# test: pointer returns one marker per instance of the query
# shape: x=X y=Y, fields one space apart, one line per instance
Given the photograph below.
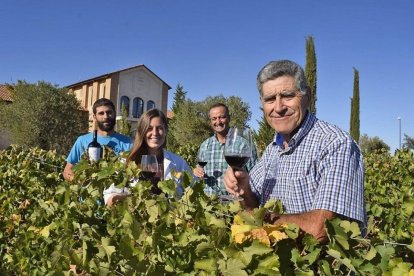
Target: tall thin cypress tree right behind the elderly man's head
x=310 y=70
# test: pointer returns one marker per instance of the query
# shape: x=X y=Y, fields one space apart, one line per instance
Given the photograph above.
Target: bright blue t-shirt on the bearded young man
x=117 y=142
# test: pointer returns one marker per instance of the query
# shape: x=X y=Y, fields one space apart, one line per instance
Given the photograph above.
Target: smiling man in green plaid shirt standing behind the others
x=212 y=150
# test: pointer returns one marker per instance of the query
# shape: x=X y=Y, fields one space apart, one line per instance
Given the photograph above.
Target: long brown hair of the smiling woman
x=140 y=147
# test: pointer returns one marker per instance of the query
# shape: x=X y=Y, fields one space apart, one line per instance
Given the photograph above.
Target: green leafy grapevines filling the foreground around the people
x=51 y=227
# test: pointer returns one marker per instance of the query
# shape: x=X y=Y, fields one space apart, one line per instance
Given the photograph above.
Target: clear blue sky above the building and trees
x=217 y=47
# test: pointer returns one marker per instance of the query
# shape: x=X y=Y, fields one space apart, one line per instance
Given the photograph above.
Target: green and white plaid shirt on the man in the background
x=216 y=166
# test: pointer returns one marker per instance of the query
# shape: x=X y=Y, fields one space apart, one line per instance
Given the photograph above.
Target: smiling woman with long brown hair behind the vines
x=150 y=139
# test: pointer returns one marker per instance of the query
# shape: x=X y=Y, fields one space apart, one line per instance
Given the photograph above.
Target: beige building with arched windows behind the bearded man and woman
x=137 y=88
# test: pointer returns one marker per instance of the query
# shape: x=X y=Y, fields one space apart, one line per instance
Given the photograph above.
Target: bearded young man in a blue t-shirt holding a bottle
x=105 y=116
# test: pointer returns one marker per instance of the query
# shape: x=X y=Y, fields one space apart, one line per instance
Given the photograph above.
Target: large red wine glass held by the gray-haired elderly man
x=237 y=152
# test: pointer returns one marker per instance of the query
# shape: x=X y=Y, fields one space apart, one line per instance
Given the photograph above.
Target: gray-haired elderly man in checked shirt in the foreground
x=313 y=167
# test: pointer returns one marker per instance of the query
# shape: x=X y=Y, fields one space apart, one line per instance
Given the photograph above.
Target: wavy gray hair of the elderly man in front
x=279 y=68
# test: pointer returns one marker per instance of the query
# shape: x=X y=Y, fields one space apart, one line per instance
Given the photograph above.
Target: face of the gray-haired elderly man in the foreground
x=283 y=105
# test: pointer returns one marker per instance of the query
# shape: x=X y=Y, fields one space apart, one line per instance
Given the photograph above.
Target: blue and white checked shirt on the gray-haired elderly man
x=322 y=168
